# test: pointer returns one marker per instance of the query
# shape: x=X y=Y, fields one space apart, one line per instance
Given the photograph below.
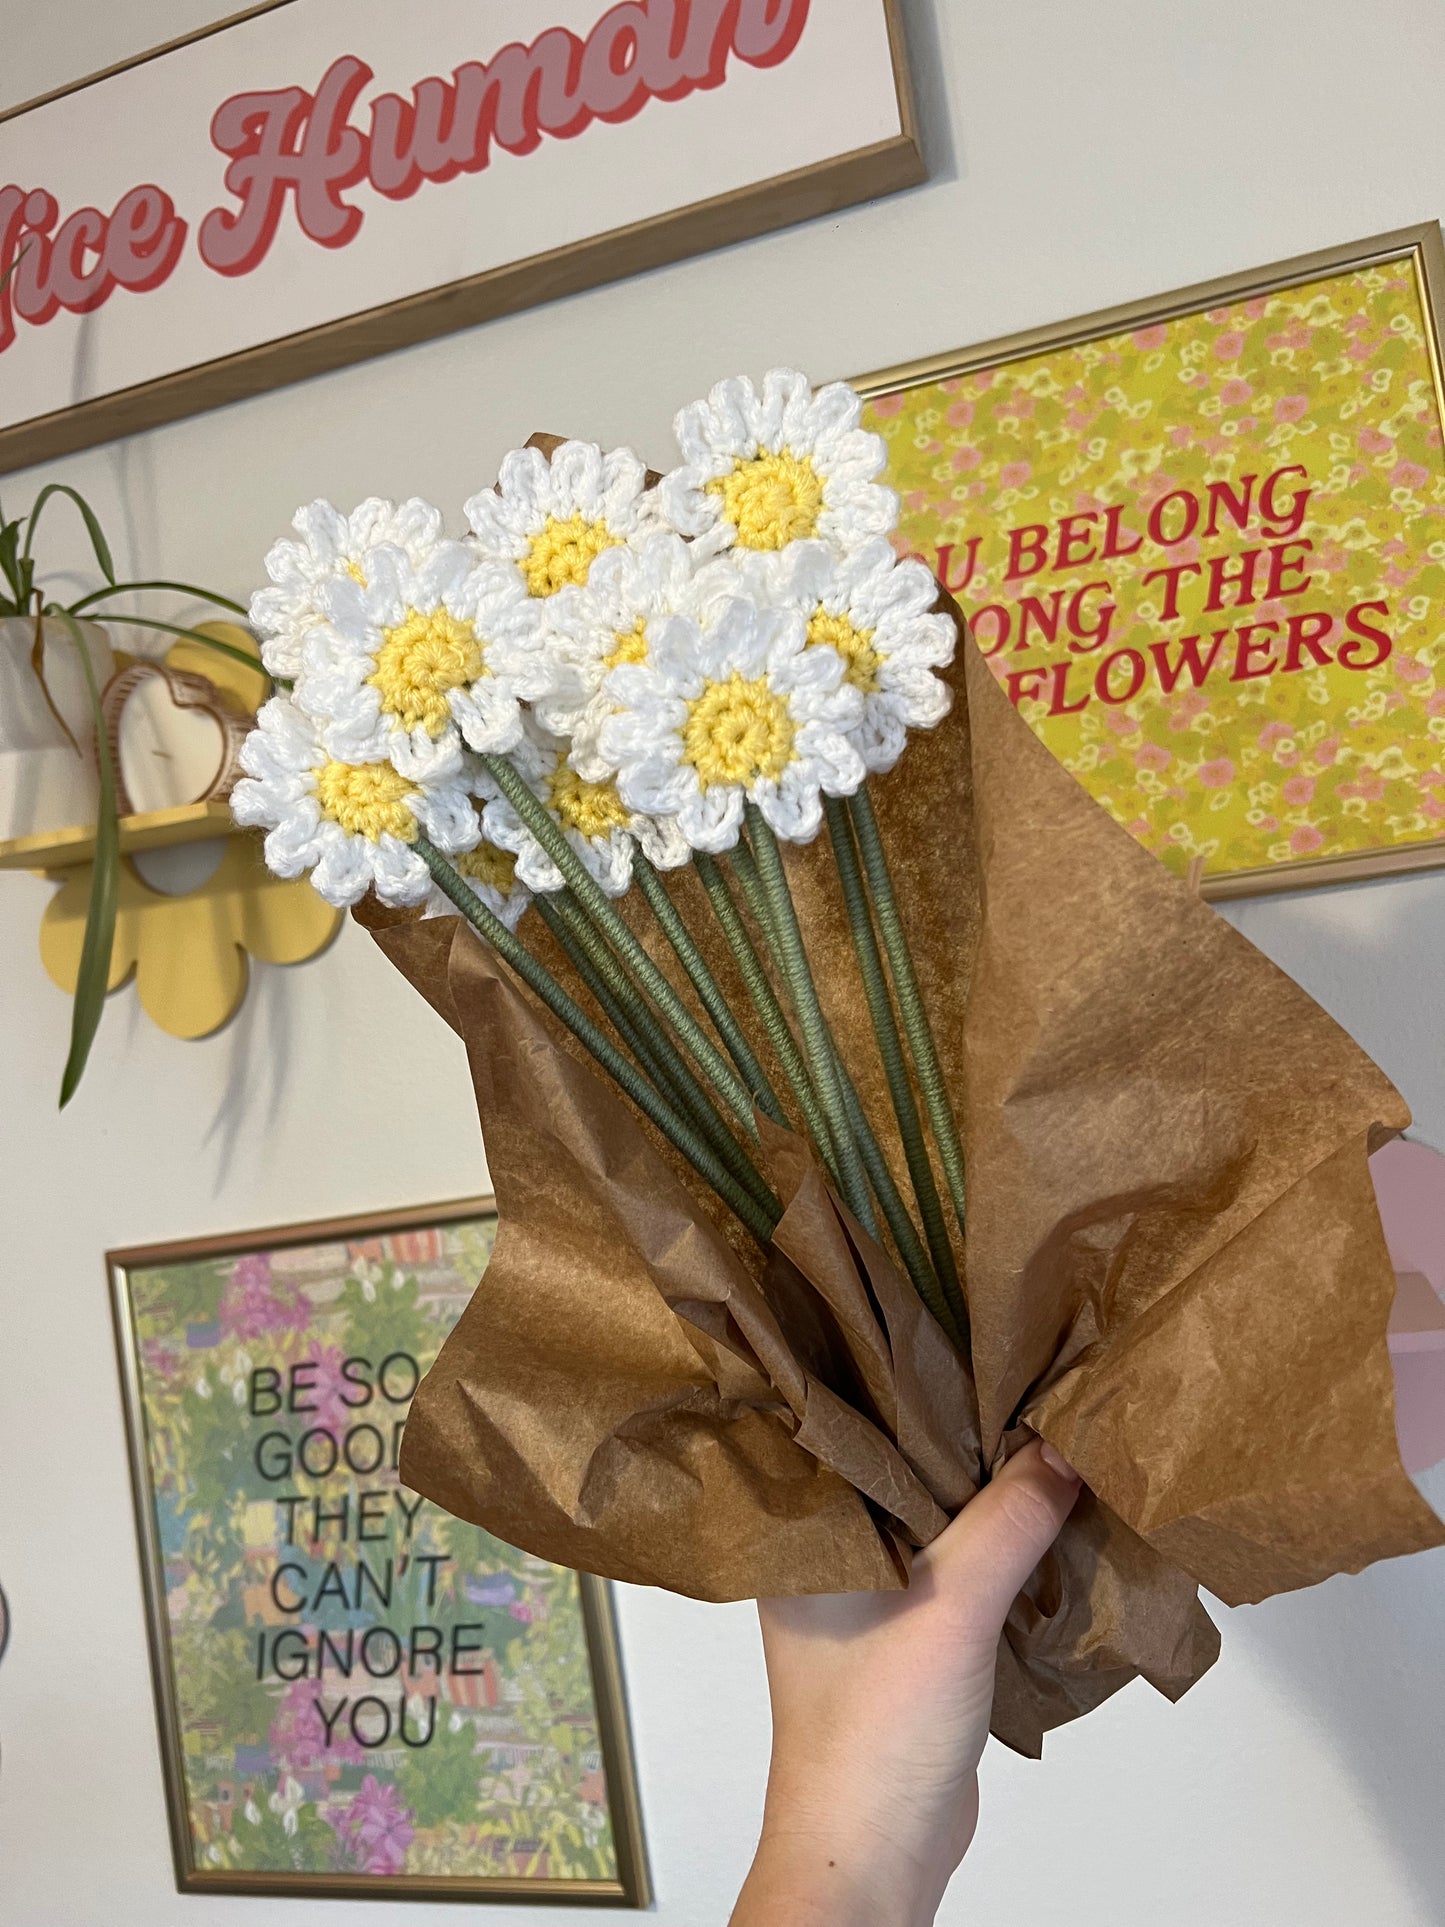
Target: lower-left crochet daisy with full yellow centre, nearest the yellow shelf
x=352 y=826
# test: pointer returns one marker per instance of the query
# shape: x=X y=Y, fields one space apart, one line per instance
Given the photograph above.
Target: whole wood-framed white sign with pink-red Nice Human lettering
x=315 y=182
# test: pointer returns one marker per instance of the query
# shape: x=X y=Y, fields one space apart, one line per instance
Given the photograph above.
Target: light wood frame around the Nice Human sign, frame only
x=700 y=228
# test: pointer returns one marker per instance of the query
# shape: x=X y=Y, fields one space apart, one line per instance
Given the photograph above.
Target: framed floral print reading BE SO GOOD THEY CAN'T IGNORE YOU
x=357 y=1695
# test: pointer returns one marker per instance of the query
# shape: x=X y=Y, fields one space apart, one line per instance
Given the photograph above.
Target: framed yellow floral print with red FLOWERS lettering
x=1201 y=542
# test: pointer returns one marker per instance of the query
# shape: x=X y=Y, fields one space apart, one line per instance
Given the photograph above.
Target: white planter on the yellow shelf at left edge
x=43 y=783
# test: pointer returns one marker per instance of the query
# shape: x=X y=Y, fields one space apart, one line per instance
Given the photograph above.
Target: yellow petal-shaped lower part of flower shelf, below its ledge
x=190 y=953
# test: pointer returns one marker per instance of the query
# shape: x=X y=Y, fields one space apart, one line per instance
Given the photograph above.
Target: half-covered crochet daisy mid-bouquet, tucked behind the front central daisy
x=608 y=623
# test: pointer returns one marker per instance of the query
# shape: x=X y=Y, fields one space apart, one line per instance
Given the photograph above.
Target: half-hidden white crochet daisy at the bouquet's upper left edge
x=332 y=546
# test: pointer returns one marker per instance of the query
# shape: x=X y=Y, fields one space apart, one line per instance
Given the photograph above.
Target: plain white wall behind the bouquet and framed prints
x=1084 y=155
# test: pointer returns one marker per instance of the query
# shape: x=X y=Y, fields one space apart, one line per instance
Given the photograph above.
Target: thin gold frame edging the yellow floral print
x=1419 y=250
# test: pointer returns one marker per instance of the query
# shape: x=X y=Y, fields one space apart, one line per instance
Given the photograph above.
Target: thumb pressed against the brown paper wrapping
x=1001 y=1535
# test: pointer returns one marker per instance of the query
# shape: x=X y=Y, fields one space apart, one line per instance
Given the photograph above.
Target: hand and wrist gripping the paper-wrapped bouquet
x=881 y=1710
